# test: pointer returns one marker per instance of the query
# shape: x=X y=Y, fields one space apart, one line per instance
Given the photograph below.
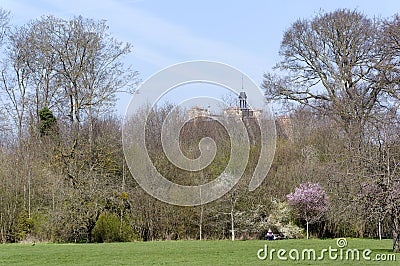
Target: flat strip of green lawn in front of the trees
x=222 y=252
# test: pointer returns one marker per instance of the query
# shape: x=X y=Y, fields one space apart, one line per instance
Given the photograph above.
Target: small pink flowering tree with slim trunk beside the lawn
x=309 y=201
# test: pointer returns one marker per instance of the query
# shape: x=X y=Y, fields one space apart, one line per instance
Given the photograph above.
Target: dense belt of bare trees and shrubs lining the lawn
x=62 y=170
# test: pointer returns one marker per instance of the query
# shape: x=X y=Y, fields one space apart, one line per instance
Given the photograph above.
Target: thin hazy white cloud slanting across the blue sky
x=156 y=41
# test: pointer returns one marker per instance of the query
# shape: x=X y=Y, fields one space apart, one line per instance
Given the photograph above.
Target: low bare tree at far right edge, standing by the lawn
x=379 y=193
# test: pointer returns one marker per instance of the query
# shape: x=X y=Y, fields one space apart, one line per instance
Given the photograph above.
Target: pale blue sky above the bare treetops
x=243 y=34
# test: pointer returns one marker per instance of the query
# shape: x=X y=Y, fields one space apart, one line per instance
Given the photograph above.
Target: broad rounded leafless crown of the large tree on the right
x=331 y=62
